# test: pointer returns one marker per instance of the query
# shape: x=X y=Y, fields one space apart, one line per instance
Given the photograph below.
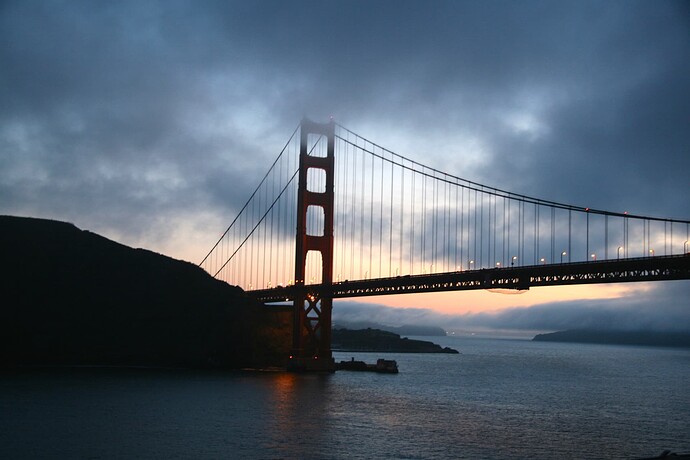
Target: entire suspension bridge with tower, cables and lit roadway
x=339 y=216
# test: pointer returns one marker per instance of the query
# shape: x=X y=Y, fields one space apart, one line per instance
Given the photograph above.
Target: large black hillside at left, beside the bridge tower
x=73 y=297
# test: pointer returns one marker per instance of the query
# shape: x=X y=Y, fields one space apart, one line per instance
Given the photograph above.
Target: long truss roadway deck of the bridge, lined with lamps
x=657 y=268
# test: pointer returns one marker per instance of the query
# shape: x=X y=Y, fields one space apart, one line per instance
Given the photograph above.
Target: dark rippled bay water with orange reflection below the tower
x=498 y=399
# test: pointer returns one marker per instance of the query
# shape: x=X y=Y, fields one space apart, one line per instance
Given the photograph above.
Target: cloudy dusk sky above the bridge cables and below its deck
x=151 y=122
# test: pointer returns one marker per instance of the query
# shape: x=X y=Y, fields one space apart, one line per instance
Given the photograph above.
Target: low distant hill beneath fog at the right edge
x=649 y=338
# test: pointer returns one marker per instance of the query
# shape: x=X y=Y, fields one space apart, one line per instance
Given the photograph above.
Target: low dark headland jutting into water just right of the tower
x=376 y=340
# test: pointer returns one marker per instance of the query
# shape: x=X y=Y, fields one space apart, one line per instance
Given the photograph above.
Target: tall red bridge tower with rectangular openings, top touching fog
x=311 y=338
